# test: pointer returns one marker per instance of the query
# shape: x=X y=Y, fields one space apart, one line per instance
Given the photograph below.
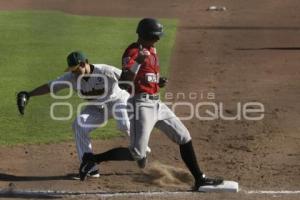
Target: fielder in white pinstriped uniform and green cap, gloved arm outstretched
x=98 y=84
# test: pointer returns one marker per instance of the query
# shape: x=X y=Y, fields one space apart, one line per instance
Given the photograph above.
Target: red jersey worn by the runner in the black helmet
x=147 y=78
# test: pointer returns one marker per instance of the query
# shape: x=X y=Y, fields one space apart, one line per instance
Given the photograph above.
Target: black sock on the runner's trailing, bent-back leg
x=115 y=154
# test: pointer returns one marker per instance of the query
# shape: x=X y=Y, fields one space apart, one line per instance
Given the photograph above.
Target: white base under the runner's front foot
x=226 y=186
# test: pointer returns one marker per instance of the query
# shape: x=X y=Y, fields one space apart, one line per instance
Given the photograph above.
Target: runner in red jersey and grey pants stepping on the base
x=141 y=66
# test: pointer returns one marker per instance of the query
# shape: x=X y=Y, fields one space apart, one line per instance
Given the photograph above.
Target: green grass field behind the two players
x=34 y=46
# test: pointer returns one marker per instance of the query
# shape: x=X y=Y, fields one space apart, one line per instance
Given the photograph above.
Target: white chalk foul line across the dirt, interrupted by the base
x=14 y=192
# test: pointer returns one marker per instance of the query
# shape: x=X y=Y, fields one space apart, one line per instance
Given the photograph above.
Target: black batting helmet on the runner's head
x=149 y=28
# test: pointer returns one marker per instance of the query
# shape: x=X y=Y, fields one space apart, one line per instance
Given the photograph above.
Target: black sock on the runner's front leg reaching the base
x=188 y=156
